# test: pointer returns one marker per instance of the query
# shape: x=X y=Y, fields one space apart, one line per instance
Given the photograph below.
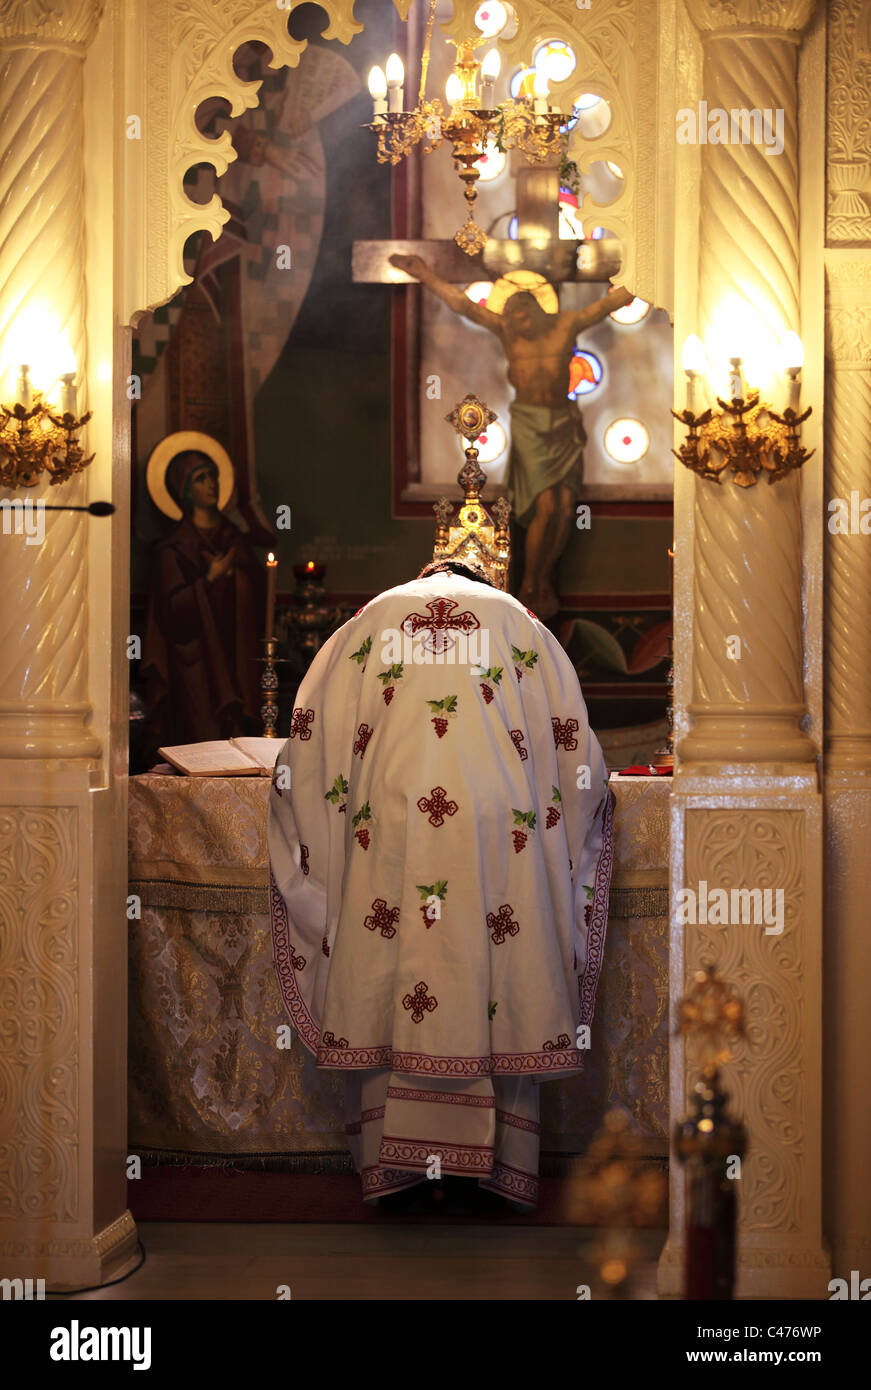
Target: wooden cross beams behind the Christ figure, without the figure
x=538 y=247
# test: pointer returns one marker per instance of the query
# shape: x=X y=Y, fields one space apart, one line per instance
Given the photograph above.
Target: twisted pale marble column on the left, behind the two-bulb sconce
x=44 y=618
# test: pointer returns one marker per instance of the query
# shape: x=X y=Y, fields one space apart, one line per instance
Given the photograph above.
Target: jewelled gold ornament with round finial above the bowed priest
x=476 y=537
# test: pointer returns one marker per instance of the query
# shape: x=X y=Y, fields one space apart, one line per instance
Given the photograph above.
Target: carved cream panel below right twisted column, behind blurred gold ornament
x=768 y=1084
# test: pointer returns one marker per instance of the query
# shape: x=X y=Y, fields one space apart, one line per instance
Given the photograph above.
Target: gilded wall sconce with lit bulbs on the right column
x=744 y=436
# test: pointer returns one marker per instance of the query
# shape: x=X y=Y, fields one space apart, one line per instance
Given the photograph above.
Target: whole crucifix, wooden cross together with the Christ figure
x=547 y=429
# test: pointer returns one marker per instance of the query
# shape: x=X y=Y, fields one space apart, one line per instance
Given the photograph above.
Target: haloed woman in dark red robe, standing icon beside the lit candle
x=208 y=598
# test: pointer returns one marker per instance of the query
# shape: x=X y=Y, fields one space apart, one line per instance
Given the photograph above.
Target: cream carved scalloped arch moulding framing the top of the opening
x=187 y=55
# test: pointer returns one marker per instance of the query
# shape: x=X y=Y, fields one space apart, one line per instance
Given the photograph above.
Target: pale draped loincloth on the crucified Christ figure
x=547 y=450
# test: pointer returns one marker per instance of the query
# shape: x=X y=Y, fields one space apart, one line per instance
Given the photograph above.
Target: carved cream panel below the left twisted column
x=40 y=1000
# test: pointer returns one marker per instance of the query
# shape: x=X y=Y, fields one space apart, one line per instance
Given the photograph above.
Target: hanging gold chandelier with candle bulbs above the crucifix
x=470 y=123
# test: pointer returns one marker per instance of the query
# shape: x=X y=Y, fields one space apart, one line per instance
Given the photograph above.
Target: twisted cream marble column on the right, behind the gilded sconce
x=748 y=697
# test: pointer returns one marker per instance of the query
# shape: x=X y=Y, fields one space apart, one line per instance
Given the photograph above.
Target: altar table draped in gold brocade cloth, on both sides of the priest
x=208 y=1082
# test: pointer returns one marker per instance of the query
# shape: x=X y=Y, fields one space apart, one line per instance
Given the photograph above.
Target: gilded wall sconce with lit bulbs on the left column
x=37 y=440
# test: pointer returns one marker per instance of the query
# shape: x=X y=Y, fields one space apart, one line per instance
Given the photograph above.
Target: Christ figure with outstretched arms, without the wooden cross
x=547 y=429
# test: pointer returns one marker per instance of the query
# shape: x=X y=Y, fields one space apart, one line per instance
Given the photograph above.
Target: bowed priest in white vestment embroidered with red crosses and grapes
x=441 y=864
